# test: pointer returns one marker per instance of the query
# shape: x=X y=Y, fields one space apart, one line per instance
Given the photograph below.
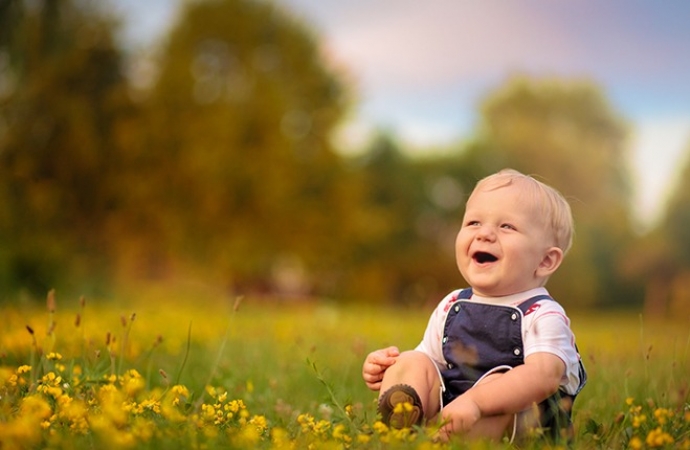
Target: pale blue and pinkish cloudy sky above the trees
x=421 y=68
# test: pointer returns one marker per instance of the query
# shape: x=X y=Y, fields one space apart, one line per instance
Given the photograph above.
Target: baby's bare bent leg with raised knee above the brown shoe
x=418 y=371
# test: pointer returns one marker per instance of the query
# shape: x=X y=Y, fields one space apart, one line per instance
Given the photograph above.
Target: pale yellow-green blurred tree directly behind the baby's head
x=567 y=134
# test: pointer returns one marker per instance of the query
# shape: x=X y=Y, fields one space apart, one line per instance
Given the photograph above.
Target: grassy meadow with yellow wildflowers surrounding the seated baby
x=184 y=371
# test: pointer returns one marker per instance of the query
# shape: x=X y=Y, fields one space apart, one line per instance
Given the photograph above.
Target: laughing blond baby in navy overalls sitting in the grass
x=499 y=358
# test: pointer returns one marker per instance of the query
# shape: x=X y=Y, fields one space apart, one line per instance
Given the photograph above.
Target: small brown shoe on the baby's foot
x=410 y=411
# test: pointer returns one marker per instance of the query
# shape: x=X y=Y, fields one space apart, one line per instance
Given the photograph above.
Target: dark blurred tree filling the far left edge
x=61 y=93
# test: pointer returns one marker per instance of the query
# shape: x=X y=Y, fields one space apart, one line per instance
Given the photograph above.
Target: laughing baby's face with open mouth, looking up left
x=502 y=243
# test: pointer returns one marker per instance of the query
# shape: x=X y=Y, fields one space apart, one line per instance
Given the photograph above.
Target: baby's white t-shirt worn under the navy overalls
x=545 y=328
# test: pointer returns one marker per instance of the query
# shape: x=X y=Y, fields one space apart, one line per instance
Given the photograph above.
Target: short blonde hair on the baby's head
x=554 y=207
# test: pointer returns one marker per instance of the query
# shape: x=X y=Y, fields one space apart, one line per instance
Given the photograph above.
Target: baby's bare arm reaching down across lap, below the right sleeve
x=507 y=393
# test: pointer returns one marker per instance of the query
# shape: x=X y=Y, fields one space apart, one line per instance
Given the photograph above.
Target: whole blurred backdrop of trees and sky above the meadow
x=312 y=149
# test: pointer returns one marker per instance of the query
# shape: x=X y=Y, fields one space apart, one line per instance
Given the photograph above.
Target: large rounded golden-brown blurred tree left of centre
x=245 y=180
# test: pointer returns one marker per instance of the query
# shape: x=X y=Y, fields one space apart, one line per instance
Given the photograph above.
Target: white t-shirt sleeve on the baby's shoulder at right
x=549 y=331
